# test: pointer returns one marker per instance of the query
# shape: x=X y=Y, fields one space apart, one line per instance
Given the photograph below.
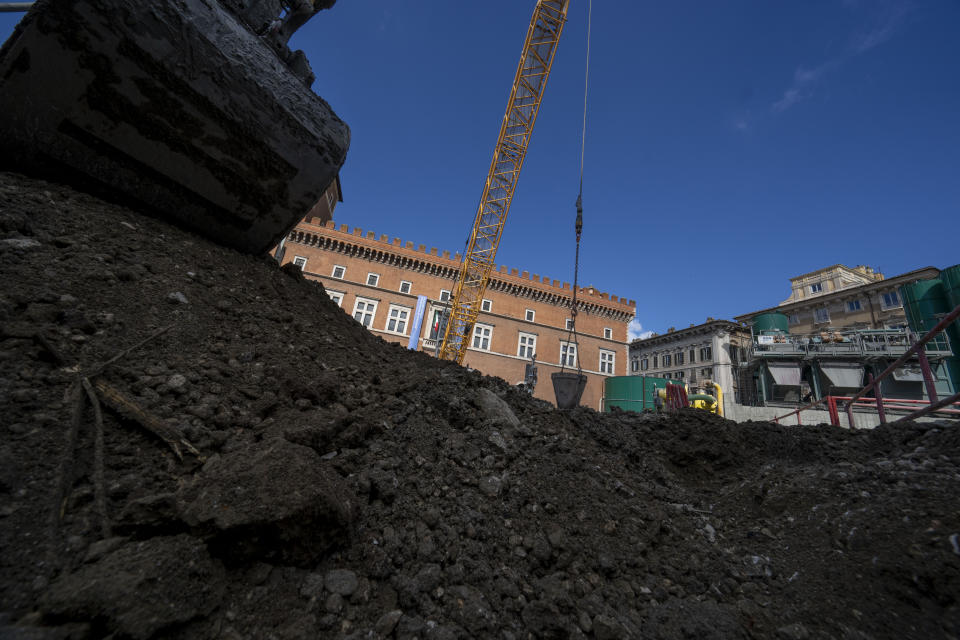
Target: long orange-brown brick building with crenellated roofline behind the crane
x=382 y=283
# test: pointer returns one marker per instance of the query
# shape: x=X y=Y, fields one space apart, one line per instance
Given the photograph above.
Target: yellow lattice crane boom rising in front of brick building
x=524 y=103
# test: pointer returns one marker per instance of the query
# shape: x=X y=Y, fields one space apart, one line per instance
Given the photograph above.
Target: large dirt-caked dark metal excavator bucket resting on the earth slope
x=178 y=106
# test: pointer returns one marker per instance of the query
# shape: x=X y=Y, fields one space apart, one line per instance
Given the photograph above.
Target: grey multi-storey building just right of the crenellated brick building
x=709 y=351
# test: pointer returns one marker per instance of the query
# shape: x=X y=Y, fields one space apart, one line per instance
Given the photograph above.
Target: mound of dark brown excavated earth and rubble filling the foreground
x=348 y=488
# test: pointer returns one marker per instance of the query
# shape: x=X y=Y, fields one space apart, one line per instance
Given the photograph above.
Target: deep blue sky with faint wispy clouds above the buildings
x=730 y=145
